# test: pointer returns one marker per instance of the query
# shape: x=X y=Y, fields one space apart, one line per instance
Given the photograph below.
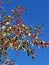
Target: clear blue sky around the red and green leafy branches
x=38 y=13
